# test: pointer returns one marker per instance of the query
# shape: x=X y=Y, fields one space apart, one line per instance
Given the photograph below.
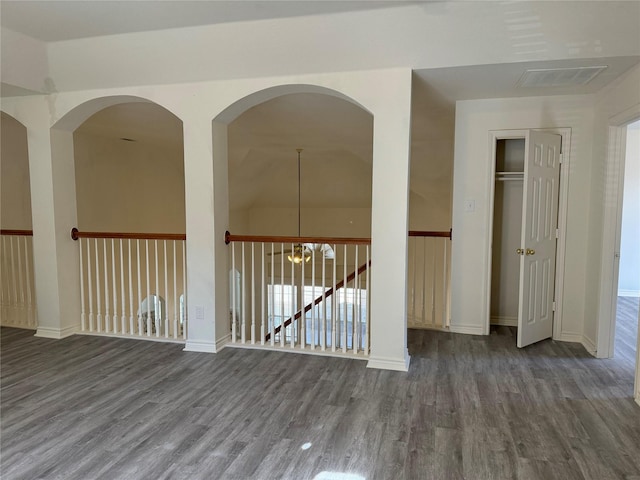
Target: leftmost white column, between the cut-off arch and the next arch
x=53 y=202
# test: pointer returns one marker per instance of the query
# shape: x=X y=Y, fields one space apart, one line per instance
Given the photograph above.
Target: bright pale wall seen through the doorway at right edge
x=629 y=273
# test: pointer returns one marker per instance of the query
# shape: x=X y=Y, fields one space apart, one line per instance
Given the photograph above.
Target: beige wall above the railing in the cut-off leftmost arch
x=15 y=198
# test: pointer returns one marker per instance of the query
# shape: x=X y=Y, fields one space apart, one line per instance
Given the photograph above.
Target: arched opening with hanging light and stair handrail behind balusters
x=326 y=194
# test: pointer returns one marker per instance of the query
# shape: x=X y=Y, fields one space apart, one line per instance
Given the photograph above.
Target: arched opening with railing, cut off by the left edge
x=17 y=287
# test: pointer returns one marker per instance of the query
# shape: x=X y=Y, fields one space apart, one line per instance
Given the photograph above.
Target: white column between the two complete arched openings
x=206 y=206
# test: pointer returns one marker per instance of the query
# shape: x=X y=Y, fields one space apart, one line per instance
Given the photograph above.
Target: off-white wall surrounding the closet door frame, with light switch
x=472 y=180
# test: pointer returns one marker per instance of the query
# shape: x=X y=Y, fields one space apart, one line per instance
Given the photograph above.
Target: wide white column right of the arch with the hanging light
x=389 y=221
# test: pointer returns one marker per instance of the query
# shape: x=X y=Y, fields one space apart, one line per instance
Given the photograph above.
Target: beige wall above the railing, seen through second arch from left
x=128 y=186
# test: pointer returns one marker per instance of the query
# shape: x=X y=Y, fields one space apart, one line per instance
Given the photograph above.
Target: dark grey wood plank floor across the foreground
x=469 y=408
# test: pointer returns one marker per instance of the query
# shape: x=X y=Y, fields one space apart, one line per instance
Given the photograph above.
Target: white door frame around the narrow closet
x=565 y=151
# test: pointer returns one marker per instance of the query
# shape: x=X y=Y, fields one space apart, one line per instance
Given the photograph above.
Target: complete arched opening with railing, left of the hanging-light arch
x=128 y=183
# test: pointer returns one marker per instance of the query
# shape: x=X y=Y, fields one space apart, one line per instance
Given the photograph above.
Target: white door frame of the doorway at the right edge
x=611 y=231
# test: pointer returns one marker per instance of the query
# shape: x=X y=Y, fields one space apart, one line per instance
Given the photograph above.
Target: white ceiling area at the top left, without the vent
x=54 y=20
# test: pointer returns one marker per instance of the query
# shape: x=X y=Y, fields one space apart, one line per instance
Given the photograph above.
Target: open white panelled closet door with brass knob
x=538 y=240
